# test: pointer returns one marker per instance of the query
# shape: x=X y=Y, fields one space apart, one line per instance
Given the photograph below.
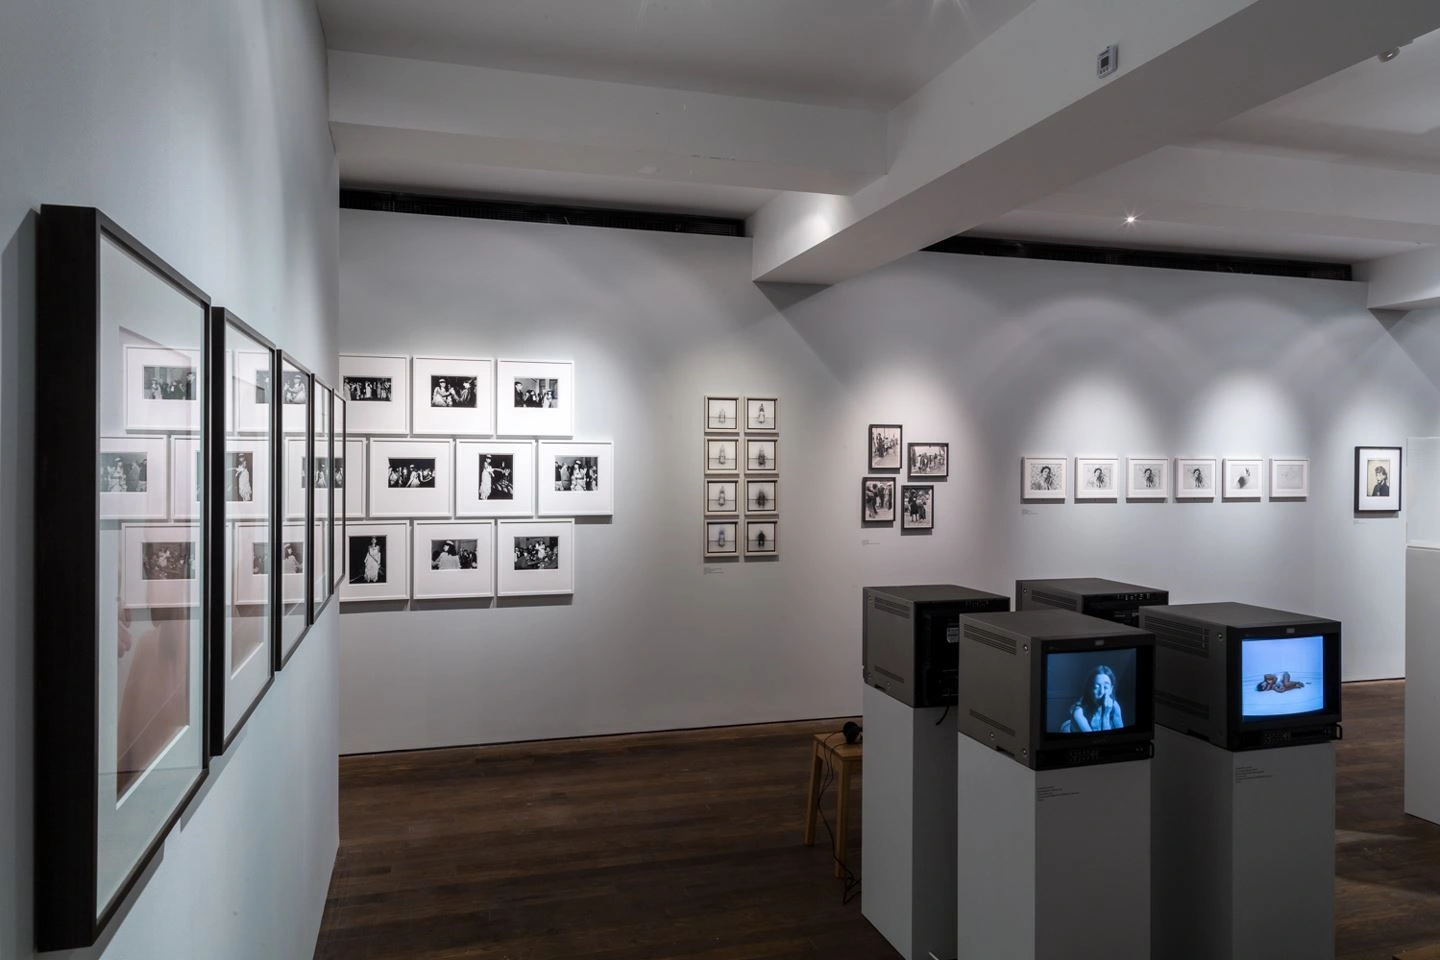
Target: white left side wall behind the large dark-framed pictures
x=201 y=129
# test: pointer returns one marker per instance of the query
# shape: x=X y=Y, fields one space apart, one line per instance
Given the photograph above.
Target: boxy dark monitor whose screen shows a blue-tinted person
x=1056 y=689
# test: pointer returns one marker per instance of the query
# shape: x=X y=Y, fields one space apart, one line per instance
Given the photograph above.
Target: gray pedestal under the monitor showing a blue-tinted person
x=1053 y=864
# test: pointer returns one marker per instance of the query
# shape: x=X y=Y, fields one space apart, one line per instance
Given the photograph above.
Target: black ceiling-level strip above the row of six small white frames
x=1130 y=257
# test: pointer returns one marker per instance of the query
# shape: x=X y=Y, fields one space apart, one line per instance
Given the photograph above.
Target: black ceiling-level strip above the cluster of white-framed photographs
x=474 y=209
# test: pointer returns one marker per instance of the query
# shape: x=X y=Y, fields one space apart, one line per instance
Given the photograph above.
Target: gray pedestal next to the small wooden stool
x=908 y=827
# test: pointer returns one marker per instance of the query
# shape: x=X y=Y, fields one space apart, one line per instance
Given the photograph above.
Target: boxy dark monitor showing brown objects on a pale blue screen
x=1245 y=677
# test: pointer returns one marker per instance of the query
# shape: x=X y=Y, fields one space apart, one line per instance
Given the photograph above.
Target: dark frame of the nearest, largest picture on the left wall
x=70 y=910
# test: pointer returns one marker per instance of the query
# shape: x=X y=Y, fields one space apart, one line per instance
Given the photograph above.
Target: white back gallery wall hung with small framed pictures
x=1002 y=359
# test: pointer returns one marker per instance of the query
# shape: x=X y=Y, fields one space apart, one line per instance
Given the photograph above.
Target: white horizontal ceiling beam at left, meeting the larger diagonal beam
x=388 y=107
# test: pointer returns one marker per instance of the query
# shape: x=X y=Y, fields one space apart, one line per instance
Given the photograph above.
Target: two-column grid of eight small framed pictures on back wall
x=742 y=479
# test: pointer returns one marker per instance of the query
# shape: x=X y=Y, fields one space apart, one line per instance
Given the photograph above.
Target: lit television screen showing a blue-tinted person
x=1089 y=692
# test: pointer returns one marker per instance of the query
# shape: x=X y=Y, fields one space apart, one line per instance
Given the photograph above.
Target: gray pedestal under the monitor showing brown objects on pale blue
x=1245 y=851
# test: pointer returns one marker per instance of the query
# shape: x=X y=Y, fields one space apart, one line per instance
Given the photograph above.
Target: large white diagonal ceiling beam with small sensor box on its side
x=1023 y=114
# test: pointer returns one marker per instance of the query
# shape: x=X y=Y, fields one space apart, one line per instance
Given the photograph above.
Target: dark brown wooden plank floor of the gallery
x=662 y=847
